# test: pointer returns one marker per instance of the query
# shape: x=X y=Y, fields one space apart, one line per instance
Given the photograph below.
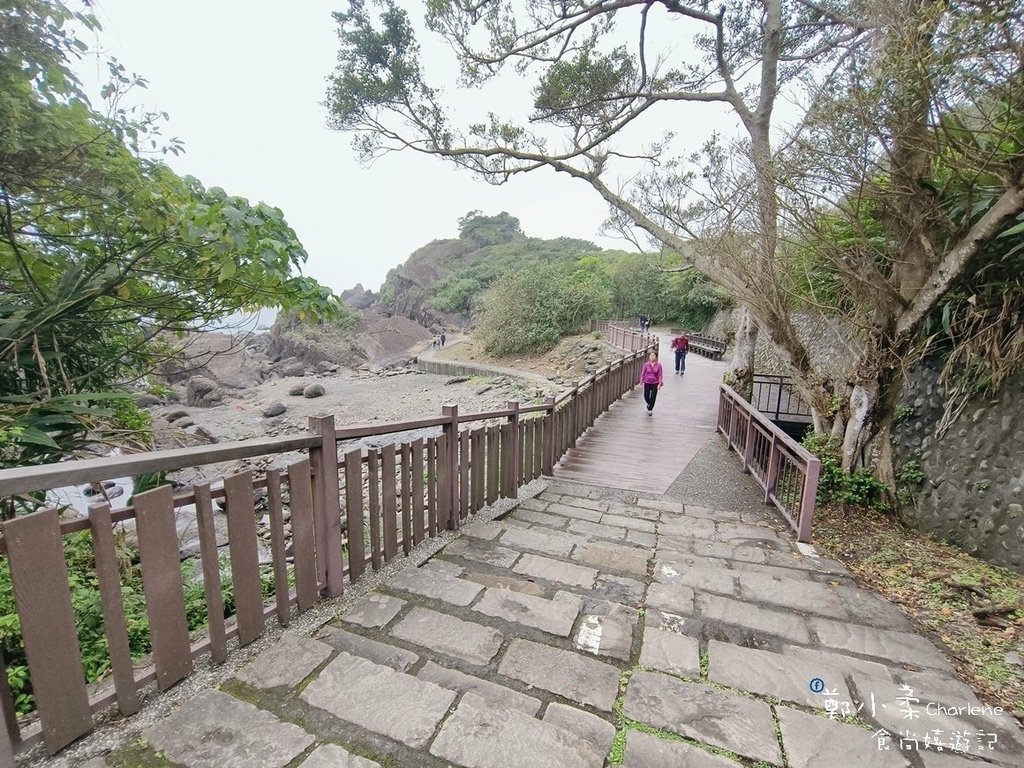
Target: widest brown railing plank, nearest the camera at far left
x=39 y=577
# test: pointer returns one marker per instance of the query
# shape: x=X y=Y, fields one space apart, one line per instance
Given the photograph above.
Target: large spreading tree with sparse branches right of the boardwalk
x=603 y=73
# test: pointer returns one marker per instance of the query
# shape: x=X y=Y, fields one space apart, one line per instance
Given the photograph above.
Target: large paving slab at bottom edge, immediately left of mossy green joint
x=479 y=736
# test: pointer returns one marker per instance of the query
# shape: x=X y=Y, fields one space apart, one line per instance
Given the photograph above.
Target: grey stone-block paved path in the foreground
x=587 y=629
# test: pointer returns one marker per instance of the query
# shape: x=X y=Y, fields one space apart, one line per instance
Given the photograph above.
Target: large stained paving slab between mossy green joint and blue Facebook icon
x=696 y=711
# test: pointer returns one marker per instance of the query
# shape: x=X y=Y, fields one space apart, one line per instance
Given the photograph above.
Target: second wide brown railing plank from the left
x=165 y=600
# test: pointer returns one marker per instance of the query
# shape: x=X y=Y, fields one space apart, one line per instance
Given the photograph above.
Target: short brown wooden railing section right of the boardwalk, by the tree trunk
x=787 y=472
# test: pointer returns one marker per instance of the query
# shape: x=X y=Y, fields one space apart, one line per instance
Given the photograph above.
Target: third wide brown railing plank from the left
x=241 y=511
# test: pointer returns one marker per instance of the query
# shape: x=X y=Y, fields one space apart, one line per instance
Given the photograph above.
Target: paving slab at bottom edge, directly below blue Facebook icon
x=813 y=742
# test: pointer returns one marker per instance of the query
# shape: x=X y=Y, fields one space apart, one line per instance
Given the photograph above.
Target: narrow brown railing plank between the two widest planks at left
x=112 y=605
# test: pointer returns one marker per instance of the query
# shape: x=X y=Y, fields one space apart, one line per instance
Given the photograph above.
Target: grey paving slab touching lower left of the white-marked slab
x=572 y=676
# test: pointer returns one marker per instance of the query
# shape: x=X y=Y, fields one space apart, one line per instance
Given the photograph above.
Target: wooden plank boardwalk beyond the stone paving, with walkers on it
x=627 y=449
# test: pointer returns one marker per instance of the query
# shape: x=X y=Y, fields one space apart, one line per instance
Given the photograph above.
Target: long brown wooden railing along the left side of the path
x=392 y=498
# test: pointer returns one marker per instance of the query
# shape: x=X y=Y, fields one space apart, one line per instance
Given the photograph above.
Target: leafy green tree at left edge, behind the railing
x=107 y=257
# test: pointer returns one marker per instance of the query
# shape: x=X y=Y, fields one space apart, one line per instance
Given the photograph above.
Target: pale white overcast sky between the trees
x=244 y=81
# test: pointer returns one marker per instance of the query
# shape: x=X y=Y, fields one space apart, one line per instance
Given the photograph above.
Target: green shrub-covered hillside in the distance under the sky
x=527 y=293
